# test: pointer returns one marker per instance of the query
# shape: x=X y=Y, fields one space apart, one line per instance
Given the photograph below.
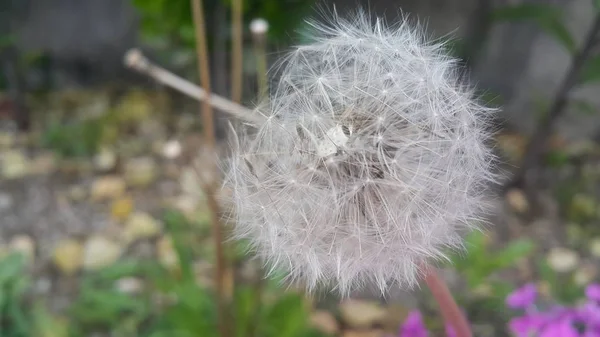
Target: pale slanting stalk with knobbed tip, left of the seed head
x=136 y=60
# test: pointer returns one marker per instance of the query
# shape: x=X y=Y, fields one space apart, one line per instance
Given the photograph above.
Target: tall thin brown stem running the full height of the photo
x=209 y=140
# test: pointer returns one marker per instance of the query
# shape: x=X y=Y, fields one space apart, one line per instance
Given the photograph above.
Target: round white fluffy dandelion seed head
x=371 y=163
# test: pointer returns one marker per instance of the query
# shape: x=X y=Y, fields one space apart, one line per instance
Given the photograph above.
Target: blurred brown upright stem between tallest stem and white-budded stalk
x=236 y=51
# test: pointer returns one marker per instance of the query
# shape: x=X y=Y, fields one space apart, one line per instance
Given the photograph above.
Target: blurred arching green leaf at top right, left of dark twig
x=547 y=17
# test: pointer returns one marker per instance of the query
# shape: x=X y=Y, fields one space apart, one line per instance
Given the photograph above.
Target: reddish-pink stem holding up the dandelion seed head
x=448 y=307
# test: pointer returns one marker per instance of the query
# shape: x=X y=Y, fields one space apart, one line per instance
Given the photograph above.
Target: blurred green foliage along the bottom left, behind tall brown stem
x=170 y=304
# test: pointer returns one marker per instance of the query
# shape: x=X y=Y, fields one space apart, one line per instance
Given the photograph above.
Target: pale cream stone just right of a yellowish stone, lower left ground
x=100 y=252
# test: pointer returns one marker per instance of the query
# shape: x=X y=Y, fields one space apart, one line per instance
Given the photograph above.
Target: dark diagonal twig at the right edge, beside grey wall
x=525 y=177
